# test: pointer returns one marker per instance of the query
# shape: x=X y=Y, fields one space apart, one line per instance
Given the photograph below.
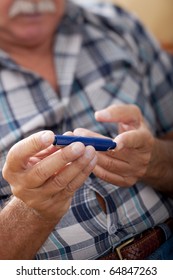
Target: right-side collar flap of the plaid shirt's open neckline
x=67 y=46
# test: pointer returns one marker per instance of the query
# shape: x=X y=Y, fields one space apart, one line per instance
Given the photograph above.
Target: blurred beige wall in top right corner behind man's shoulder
x=157 y=15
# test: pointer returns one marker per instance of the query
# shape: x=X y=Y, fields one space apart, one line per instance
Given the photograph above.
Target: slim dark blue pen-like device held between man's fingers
x=100 y=144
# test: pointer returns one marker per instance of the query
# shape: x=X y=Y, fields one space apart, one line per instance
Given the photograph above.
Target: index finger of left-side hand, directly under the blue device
x=54 y=163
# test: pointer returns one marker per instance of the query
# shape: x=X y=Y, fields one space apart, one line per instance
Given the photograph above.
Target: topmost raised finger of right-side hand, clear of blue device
x=128 y=114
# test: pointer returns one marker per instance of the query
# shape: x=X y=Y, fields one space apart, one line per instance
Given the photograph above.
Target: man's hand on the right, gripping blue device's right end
x=128 y=163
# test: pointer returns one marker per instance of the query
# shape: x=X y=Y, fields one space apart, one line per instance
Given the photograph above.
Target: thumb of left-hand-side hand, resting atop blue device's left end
x=19 y=154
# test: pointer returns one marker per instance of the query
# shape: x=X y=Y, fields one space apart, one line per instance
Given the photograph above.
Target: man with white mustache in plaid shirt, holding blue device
x=66 y=69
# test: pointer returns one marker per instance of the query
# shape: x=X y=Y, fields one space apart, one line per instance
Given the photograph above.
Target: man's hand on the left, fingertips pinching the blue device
x=44 y=177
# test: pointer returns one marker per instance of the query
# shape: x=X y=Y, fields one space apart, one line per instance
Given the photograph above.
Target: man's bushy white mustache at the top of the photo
x=28 y=7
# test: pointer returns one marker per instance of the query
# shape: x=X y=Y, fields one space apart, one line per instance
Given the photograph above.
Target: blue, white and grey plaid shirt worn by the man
x=99 y=61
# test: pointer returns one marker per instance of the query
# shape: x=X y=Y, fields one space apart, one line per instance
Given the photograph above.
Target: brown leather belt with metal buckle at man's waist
x=142 y=246
